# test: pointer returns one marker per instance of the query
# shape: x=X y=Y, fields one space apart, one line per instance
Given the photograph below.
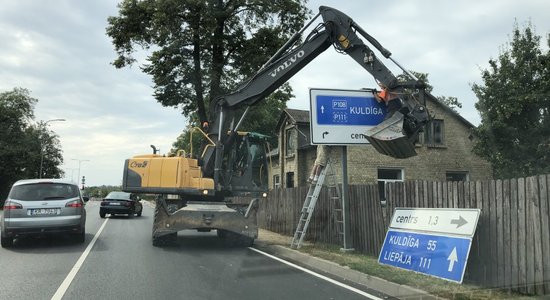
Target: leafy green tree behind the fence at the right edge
x=514 y=104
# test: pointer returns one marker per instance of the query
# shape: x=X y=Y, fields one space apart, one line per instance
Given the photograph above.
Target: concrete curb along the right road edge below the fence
x=345 y=273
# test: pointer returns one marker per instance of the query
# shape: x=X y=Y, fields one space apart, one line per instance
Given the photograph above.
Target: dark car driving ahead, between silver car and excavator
x=121 y=203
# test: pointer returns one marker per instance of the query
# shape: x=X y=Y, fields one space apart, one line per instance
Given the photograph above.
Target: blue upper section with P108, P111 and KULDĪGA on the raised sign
x=349 y=110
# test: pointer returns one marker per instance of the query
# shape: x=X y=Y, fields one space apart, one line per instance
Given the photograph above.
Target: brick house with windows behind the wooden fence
x=444 y=153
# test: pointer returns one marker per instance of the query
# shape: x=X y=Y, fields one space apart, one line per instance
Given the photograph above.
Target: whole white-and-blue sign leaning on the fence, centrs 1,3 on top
x=431 y=241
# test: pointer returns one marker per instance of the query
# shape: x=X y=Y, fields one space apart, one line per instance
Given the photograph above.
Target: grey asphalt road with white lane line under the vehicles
x=123 y=264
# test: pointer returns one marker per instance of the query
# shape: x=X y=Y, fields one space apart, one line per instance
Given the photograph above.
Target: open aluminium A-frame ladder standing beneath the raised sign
x=309 y=206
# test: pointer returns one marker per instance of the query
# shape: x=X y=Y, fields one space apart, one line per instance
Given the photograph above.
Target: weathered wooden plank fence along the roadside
x=511 y=247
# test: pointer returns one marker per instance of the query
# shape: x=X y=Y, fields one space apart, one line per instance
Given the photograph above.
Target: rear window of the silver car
x=43 y=191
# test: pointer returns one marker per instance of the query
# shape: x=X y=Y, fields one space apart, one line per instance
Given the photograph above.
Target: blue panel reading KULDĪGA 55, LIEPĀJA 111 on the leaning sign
x=440 y=256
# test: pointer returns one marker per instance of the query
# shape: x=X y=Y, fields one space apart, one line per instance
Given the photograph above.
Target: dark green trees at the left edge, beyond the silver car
x=21 y=141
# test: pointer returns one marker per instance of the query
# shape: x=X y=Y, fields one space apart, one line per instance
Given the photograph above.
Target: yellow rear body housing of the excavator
x=158 y=174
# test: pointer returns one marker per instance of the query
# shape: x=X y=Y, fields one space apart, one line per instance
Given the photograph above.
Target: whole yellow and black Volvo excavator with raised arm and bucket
x=195 y=192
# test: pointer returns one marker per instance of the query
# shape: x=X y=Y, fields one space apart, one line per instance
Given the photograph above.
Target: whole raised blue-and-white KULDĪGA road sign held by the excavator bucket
x=342 y=117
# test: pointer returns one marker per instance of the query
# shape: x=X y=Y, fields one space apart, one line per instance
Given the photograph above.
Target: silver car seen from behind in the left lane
x=43 y=206
